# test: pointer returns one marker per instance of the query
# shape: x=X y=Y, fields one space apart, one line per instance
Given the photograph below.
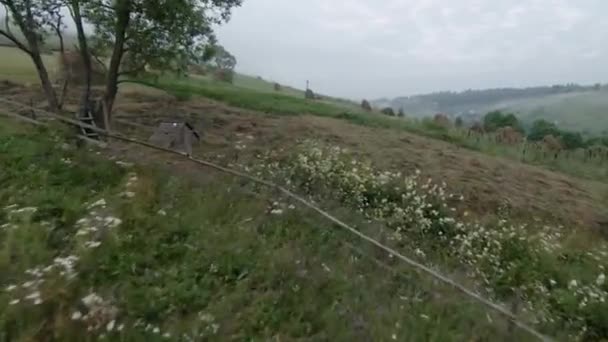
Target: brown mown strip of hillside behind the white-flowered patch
x=489 y=184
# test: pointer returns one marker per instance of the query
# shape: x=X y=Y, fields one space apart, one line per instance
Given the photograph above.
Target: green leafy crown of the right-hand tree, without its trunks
x=161 y=34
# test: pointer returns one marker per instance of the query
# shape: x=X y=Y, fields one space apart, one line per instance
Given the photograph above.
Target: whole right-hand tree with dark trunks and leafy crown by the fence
x=158 y=34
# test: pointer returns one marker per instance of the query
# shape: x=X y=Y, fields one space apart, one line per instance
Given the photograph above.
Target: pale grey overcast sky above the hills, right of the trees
x=375 y=48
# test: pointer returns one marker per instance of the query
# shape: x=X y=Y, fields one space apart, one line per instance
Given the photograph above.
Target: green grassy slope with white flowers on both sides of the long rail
x=91 y=247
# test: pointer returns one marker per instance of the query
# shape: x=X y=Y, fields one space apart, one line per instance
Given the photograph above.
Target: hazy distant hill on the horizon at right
x=571 y=106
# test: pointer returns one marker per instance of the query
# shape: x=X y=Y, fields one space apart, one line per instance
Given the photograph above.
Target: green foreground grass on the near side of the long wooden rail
x=216 y=266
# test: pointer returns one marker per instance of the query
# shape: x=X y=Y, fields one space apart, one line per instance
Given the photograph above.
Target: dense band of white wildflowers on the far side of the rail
x=506 y=259
